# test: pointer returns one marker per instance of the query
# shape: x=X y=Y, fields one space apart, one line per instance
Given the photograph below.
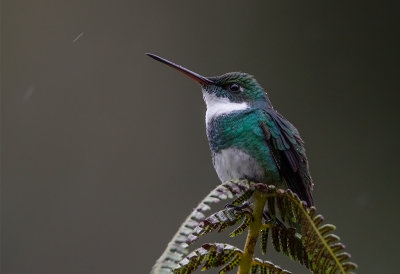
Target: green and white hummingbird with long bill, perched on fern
x=248 y=138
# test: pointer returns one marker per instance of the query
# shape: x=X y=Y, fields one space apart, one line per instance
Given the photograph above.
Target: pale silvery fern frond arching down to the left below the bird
x=177 y=248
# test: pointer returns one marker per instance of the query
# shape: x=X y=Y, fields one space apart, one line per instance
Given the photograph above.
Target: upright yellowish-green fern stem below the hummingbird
x=260 y=198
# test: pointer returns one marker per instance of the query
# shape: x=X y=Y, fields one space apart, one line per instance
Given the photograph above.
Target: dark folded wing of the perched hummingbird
x=289 y=154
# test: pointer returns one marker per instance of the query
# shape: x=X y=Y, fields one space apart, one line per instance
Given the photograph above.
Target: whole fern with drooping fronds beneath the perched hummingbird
x=294 y=229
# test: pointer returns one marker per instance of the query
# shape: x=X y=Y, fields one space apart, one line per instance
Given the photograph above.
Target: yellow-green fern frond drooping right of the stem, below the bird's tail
x=314 y=246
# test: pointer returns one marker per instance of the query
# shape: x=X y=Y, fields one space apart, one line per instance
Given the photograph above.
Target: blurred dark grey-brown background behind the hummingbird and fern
x=103 y=150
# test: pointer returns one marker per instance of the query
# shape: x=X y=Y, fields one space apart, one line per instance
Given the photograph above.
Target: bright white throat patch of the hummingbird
x=217 y=106
